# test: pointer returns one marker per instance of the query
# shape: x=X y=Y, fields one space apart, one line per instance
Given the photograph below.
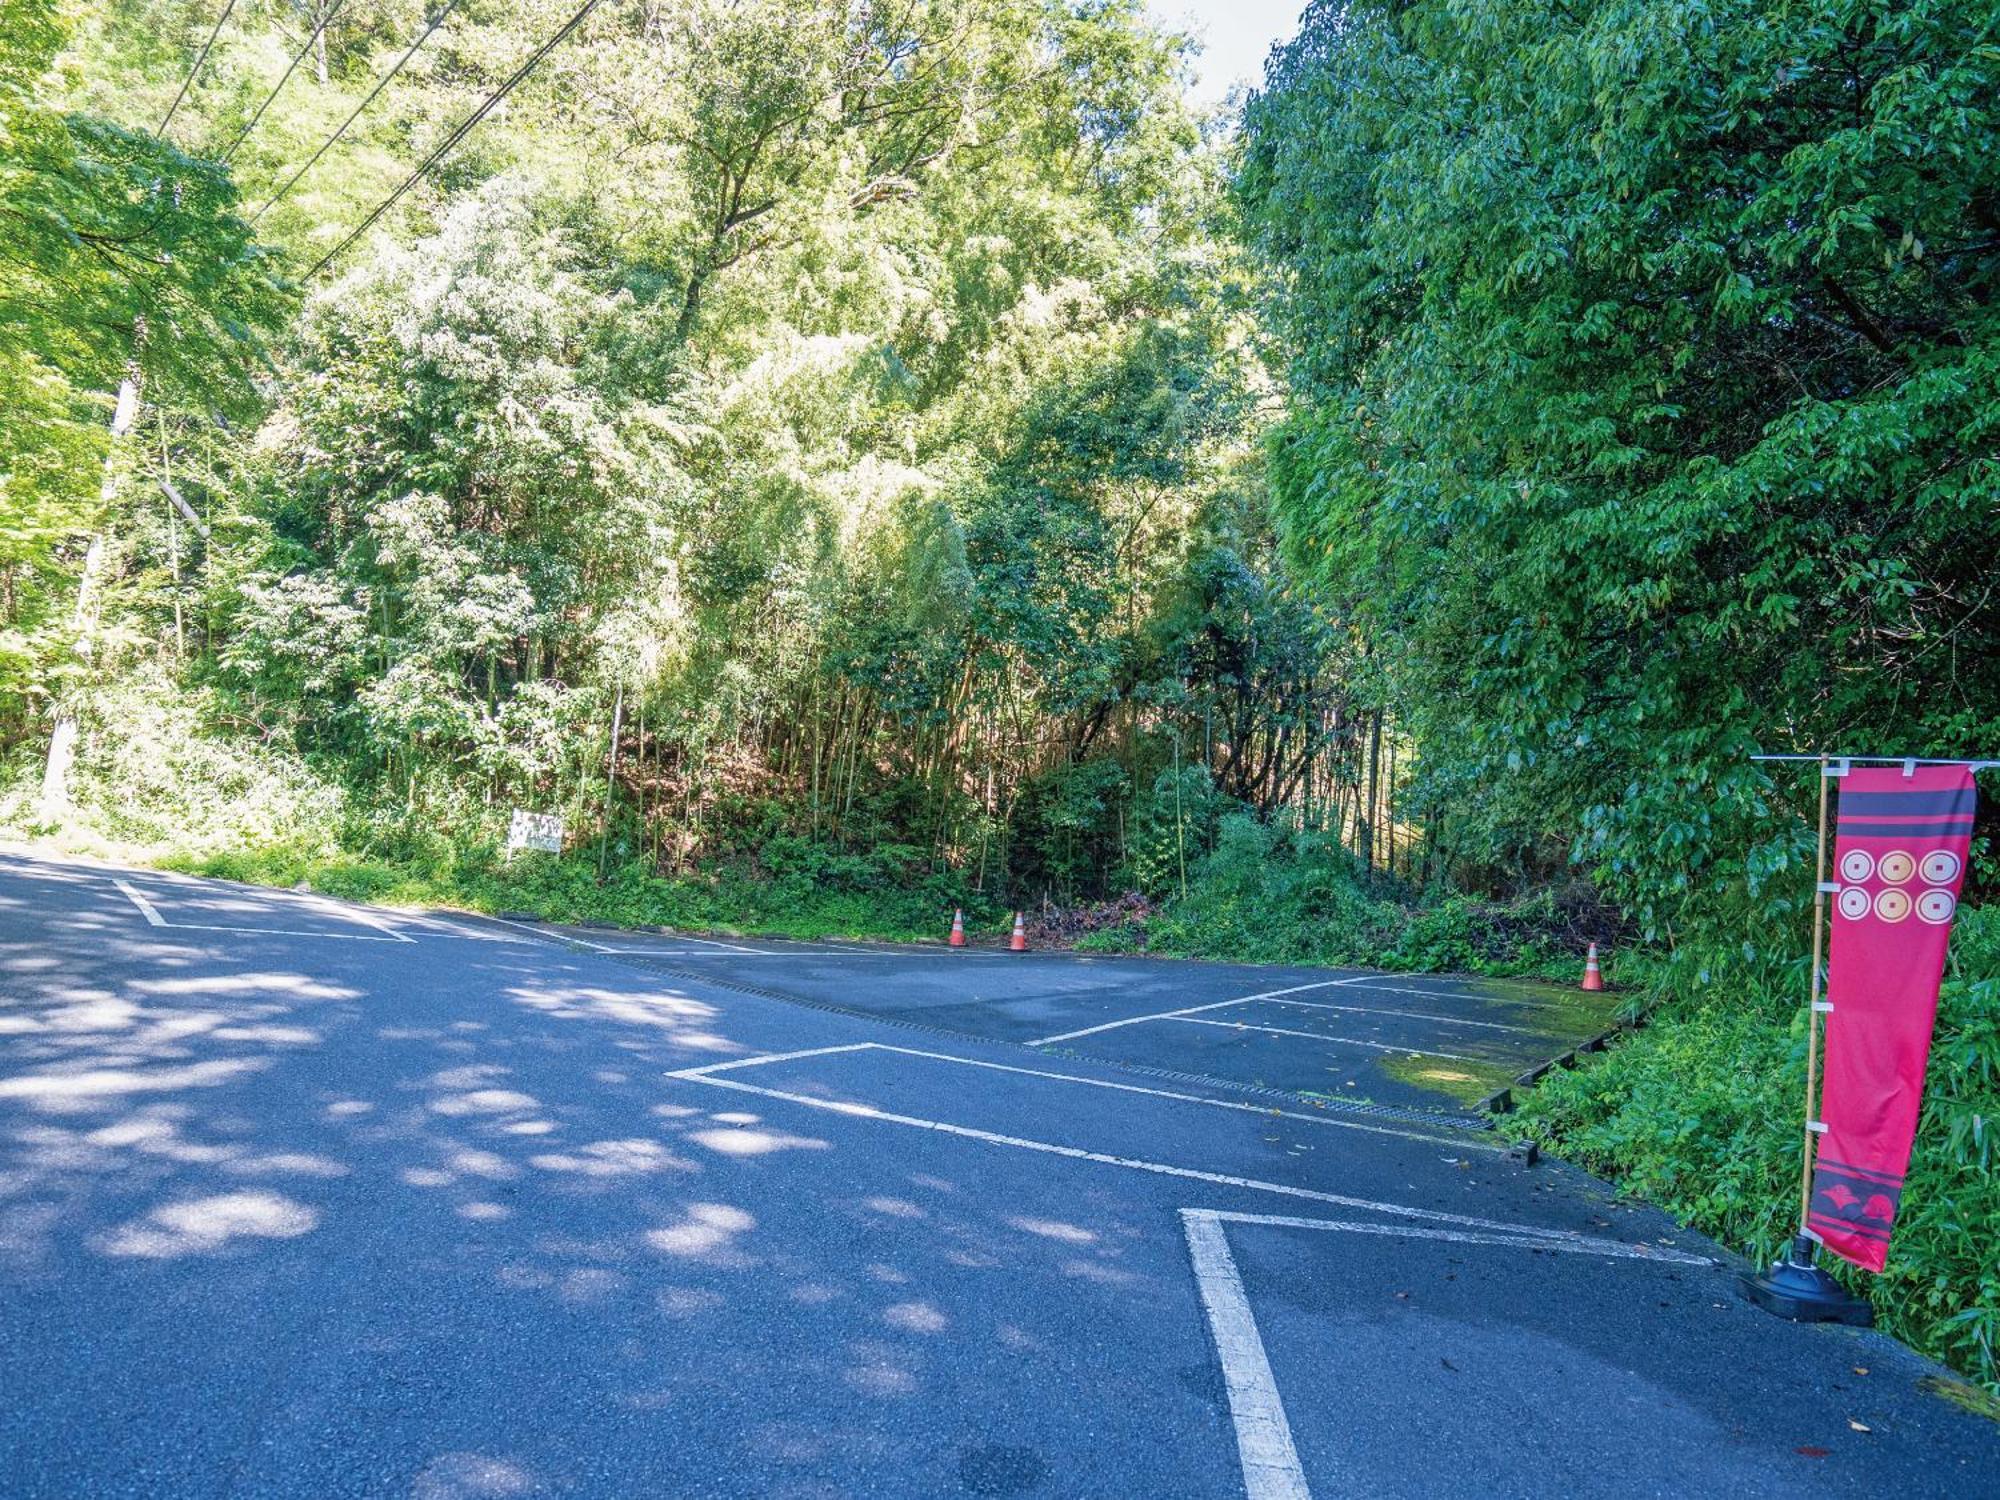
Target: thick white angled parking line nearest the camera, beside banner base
x=1265 y=1447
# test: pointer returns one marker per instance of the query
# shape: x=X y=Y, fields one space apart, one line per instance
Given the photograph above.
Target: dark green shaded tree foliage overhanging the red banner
x=1645 y=357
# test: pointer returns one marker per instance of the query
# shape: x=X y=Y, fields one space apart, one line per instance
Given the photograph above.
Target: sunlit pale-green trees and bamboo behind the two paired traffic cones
x=851 y=439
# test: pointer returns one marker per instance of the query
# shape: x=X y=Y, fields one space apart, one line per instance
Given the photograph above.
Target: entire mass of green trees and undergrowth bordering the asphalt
x=915 y=461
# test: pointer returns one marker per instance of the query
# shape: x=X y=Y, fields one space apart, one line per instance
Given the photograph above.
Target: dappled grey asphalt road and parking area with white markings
x=301 y=1199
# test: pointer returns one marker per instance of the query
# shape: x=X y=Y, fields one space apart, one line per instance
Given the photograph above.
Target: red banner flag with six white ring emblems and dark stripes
x=1899 y=863
